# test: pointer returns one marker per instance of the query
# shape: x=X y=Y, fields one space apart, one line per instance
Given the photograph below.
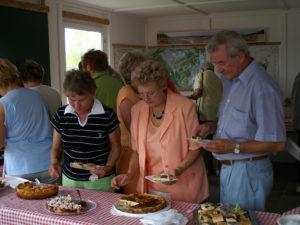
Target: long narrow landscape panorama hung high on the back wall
x=251 y=35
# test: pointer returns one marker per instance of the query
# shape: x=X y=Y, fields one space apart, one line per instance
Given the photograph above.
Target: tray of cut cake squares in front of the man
x=216 y=214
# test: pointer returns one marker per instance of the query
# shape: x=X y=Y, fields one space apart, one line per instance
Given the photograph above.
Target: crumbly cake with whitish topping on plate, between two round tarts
x=64 y=205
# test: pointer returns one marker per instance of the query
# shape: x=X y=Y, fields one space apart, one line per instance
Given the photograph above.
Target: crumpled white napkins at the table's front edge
x=170 y=217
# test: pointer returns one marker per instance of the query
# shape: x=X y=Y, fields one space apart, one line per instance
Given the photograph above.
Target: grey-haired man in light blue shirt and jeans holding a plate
x=250 y=125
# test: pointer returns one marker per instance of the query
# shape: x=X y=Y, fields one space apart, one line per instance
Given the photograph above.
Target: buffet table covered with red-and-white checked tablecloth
x=14 y=210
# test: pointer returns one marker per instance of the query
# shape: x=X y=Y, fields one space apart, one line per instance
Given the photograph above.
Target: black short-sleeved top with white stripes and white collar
x=88 y=142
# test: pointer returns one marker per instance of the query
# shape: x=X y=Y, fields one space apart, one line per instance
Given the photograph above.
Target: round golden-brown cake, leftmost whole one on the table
x=27 y=190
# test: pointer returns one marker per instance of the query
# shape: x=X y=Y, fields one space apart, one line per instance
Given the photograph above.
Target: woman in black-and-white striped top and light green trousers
x=89 y=132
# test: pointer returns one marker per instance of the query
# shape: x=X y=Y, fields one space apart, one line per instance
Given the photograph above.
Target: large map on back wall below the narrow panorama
x=184 y=62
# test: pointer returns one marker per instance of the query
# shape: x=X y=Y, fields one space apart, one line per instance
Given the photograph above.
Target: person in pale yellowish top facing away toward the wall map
x=207 y=93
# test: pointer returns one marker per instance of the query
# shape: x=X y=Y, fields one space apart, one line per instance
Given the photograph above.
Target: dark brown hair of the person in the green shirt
x=96 y=59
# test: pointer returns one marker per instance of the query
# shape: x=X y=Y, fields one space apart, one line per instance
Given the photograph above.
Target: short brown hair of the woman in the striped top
x=79 y=82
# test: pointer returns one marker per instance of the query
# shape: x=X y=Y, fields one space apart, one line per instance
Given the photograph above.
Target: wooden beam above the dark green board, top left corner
x=25 y=5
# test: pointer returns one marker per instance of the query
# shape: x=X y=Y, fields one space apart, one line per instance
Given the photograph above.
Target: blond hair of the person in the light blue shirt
x=9 y=74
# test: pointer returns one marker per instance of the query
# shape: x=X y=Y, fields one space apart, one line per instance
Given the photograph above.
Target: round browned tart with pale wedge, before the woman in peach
x=141 y=203
